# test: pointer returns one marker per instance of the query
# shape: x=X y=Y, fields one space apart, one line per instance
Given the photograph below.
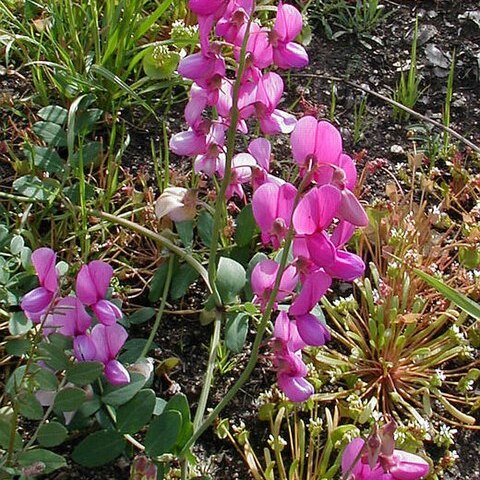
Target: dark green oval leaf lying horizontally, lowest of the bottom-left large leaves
x=99 y=448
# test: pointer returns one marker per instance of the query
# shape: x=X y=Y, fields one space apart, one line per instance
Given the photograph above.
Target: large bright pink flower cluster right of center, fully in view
x=329 y=178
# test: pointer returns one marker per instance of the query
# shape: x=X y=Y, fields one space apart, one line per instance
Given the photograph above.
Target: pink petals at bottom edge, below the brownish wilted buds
x=398 y=466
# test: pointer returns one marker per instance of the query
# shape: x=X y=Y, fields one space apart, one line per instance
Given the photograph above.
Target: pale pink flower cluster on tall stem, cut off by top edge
x=259 y=93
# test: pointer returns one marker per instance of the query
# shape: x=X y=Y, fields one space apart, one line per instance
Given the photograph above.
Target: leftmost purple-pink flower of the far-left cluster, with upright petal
x=36 y=303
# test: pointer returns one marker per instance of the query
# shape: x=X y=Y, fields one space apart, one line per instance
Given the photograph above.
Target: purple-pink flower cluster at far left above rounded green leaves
x=69 y=316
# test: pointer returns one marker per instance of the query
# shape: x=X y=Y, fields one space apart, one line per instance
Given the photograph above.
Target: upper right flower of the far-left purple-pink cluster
x=92 y=284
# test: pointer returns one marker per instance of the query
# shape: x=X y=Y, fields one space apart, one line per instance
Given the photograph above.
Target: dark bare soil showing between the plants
x=371 y=61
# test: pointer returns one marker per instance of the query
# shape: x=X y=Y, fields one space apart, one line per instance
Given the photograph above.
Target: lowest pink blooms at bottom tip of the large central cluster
x=291 y=370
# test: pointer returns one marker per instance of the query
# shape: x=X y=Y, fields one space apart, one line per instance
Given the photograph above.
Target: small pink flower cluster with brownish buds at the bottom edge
x=377 y=459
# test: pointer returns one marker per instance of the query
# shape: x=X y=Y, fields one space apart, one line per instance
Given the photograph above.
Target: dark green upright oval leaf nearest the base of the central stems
x=163 y=433
